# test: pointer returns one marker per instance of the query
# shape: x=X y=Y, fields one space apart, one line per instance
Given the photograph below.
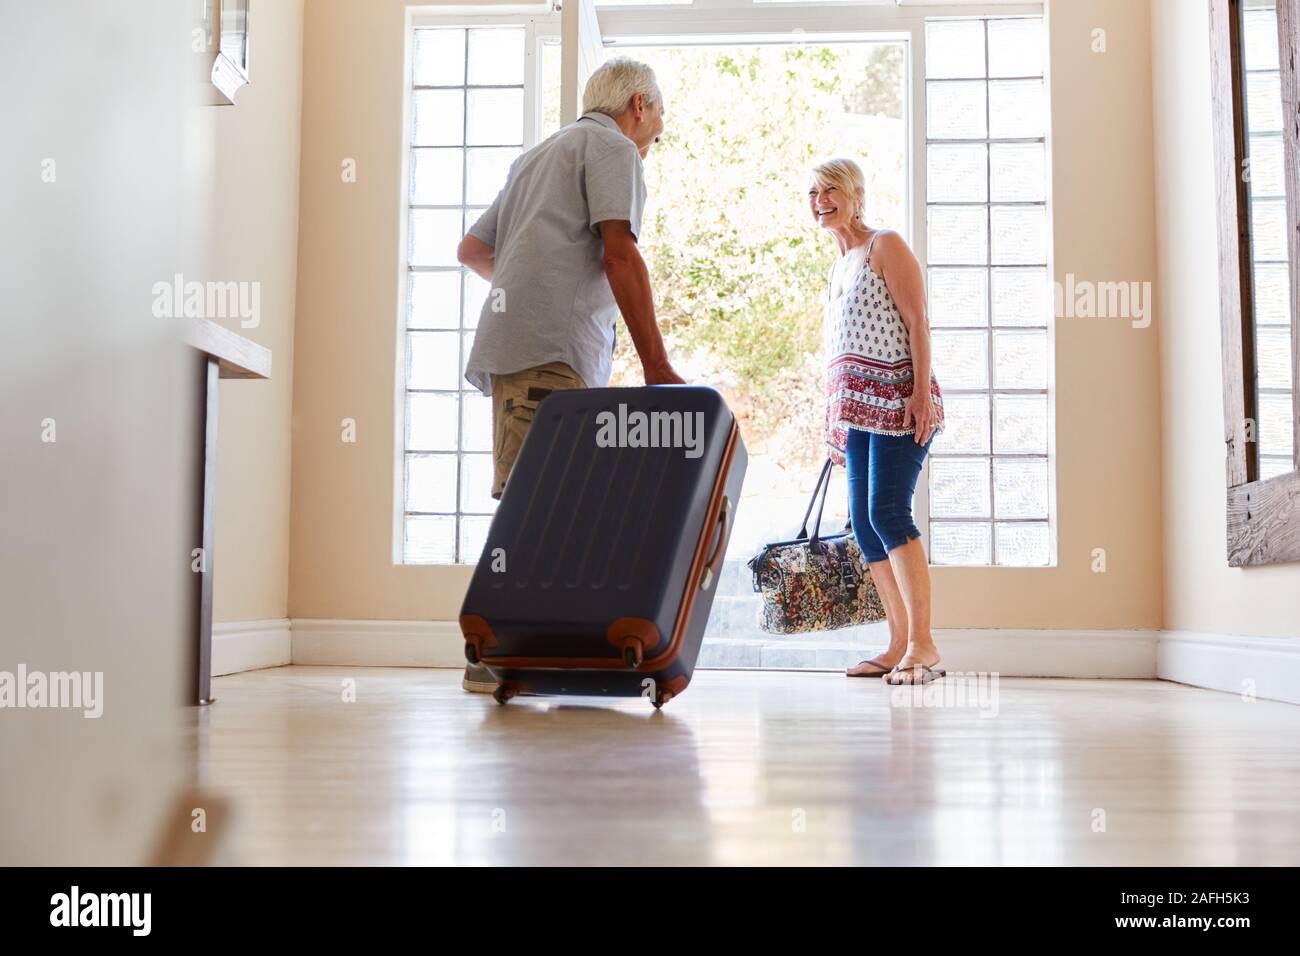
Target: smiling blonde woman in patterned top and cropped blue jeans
x=878 y=426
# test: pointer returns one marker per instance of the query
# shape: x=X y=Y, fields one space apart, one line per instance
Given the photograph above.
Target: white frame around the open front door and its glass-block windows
x=701 y=21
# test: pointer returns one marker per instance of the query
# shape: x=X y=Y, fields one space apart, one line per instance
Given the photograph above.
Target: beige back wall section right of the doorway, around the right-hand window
x=1107 y=388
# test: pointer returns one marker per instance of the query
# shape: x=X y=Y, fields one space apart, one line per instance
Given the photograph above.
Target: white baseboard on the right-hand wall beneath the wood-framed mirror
x=1267 y=668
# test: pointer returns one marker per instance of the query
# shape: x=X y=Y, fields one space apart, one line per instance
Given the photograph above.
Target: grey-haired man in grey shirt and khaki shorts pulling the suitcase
x=560 y=246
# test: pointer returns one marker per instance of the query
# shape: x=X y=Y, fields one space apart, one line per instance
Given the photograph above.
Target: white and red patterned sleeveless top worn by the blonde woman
x=869 y=360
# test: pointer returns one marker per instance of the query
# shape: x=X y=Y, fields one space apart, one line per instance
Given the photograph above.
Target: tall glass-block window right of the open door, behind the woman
x=990 y=291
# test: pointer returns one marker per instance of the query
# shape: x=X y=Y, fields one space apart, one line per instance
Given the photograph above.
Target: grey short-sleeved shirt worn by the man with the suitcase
x=551 y=299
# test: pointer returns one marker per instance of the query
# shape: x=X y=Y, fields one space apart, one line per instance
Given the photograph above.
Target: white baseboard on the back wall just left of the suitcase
x=379 y=643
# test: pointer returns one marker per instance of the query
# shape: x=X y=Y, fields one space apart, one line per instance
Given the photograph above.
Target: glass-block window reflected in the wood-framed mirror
x=1272 y=287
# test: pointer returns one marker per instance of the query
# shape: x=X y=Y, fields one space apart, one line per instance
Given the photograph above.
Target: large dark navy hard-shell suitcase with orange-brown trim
x=604 y=557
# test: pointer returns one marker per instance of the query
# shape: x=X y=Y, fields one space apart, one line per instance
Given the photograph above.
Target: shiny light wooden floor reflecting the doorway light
x=749 y=768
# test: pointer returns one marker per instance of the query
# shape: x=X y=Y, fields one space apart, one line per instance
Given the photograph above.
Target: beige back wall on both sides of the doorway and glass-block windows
x=1108 y=399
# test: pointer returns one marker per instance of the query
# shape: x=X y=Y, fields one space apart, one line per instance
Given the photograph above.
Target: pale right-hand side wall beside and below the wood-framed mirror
x=1202 y=592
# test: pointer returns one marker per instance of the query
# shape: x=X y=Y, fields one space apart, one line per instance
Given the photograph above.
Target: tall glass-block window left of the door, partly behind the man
x=467 y=126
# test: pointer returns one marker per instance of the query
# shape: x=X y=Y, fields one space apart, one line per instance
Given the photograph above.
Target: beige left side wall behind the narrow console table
x=255 y=194
